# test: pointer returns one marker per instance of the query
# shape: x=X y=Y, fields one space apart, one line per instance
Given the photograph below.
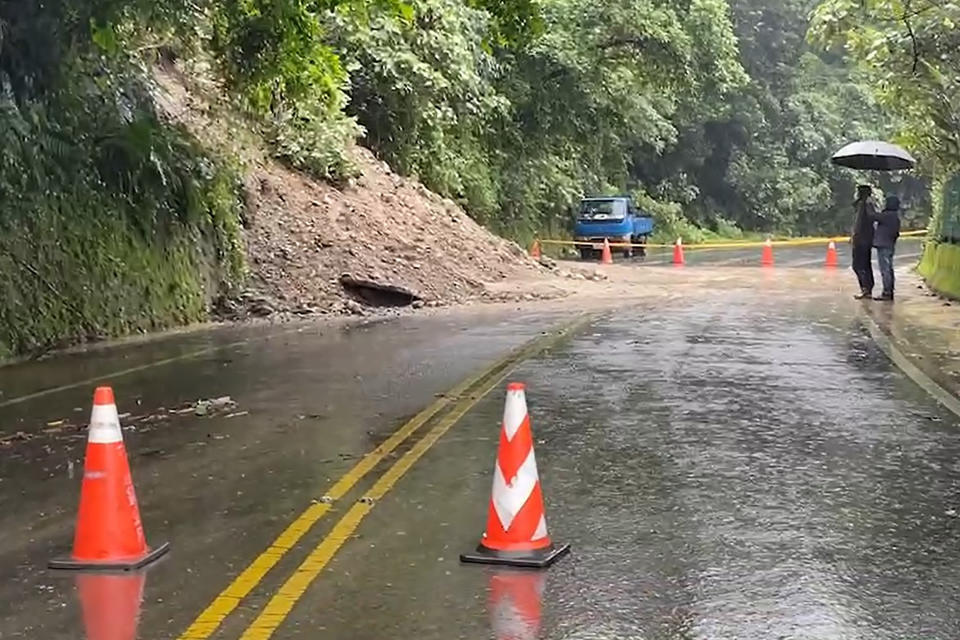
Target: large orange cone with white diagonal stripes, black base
x=516 y=524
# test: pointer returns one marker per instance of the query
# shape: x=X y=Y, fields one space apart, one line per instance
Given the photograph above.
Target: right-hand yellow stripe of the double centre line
x=293 y=589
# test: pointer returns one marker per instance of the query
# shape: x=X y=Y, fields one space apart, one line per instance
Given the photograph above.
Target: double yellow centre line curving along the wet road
x=460 y=400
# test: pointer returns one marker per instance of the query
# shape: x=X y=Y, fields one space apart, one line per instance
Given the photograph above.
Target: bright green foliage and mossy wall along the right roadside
x=909 y=54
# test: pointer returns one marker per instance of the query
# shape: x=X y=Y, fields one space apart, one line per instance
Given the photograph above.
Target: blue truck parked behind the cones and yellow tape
x=612 y=218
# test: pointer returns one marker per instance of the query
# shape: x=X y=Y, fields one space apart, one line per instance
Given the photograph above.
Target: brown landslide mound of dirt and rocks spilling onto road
x=383 y=241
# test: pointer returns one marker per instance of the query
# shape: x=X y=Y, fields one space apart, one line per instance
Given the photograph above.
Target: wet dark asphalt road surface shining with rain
x=739 y=463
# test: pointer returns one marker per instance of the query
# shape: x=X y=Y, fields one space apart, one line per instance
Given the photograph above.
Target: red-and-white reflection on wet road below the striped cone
x=515 y=604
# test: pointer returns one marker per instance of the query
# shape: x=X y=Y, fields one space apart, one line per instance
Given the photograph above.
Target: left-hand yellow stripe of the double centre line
x=213 y=616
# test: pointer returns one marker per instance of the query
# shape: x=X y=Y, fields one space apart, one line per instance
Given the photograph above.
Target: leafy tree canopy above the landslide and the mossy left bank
x=719 y=115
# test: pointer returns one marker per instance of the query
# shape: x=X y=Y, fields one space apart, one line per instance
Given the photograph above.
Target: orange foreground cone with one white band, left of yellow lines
x=109 y=533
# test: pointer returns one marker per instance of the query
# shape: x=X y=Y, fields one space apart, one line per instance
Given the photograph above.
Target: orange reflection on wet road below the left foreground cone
x=111 y=604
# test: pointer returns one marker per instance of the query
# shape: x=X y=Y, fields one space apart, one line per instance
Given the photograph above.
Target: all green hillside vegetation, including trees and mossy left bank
x=718 y=115
